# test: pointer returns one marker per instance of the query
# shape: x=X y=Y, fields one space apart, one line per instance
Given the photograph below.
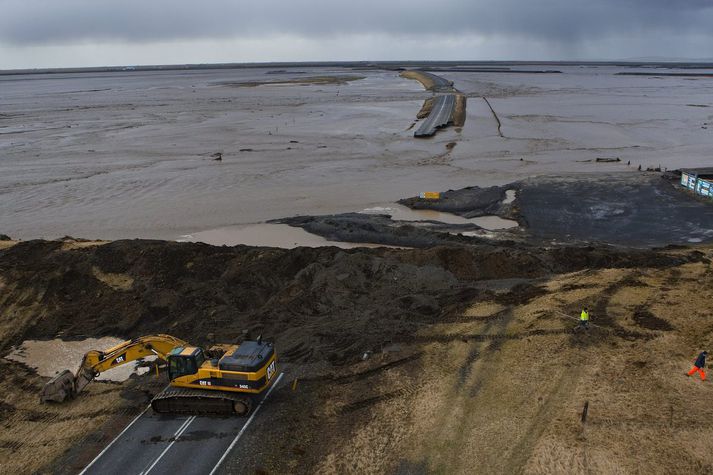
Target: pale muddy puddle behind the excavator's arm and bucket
x=53 y=356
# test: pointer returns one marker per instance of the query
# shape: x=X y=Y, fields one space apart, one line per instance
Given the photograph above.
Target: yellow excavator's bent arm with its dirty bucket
x=66 y=385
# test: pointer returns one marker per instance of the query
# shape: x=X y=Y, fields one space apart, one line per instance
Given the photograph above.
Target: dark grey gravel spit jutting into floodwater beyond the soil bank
x=625 y=209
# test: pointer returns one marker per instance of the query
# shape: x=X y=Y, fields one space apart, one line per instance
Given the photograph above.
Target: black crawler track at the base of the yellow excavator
x=203 y=402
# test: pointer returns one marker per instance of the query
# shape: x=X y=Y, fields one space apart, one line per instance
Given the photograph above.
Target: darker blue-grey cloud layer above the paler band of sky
x=24 y=22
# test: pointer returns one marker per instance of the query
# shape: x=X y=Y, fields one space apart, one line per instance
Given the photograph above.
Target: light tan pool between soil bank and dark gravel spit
x=265 y=234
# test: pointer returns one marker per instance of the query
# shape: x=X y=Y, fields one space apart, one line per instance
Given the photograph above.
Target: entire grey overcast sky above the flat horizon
x=57 y=33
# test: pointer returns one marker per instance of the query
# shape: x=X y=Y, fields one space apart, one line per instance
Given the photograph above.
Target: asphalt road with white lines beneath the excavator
x=163 y=444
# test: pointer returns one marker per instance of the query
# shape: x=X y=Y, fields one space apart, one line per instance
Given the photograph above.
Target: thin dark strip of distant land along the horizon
x=393 y=65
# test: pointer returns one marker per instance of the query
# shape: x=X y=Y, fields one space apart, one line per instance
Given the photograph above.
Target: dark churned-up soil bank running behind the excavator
x=128 y=288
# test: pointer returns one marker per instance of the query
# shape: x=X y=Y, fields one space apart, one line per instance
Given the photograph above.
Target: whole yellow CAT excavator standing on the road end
x=223 y=379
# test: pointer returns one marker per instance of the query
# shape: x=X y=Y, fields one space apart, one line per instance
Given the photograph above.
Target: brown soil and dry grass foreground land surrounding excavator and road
x=472 y=361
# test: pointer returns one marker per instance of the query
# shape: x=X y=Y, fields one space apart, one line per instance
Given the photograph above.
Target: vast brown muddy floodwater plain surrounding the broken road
x=112 y=155
